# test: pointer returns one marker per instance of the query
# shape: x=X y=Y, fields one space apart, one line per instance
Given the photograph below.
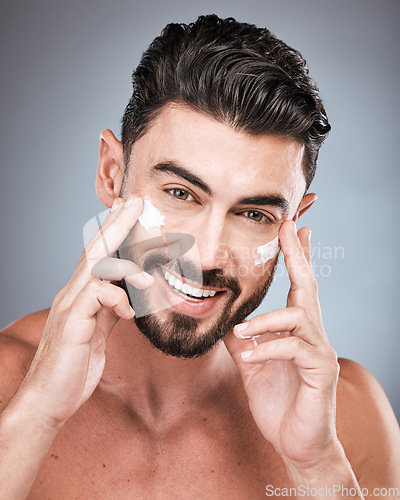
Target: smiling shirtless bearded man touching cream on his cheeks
x=188 y=400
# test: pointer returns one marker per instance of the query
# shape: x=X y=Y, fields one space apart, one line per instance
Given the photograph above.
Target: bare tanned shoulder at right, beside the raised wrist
x=367 y=426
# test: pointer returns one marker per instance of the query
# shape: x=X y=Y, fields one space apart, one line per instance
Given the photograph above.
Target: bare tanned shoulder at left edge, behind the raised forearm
x=18 y=345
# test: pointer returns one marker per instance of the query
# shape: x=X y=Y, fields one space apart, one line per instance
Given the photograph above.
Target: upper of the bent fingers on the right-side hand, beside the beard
x=295 y=320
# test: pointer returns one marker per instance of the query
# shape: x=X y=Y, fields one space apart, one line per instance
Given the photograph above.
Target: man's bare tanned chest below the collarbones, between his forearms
x=198 y=460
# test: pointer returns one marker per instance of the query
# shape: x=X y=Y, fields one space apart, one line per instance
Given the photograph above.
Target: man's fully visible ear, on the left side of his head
x=110 y=172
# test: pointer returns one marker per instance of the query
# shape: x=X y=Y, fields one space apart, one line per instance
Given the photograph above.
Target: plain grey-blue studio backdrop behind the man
x=65 y=75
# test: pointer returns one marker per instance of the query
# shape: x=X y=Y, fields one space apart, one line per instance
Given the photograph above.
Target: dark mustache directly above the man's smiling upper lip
x=213 y=278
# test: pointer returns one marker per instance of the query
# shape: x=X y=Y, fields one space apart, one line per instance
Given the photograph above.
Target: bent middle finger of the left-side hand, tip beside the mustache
x=113 y=269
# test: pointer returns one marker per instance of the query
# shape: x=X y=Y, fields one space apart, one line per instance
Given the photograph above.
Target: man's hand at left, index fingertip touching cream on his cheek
x=70 y=359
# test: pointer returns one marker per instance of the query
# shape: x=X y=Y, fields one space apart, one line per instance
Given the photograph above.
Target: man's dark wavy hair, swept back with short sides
x=234 y=72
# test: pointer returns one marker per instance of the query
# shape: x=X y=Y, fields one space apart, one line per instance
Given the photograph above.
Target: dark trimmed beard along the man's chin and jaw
x=180 y=335
